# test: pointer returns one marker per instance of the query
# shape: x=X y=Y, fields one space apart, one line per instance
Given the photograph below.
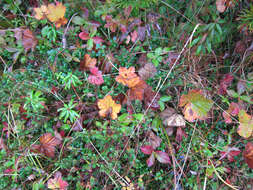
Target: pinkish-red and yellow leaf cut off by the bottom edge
x=57 y=182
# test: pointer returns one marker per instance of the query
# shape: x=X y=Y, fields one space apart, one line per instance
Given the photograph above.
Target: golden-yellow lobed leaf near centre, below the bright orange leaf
x=108 y=106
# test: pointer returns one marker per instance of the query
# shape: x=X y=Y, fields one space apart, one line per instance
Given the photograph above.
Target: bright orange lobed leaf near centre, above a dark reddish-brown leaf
x=128 y=77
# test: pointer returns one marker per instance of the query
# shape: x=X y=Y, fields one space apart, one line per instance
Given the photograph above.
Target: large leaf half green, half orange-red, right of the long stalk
x=196 y=106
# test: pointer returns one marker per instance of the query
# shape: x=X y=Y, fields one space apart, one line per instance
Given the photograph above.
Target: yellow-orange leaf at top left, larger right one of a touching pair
x=56 y=14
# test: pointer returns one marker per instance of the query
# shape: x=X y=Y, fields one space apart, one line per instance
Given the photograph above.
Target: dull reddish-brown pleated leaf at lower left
x=47 y=146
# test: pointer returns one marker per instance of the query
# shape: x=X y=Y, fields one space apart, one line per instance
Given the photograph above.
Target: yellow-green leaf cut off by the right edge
x=245 y=128
